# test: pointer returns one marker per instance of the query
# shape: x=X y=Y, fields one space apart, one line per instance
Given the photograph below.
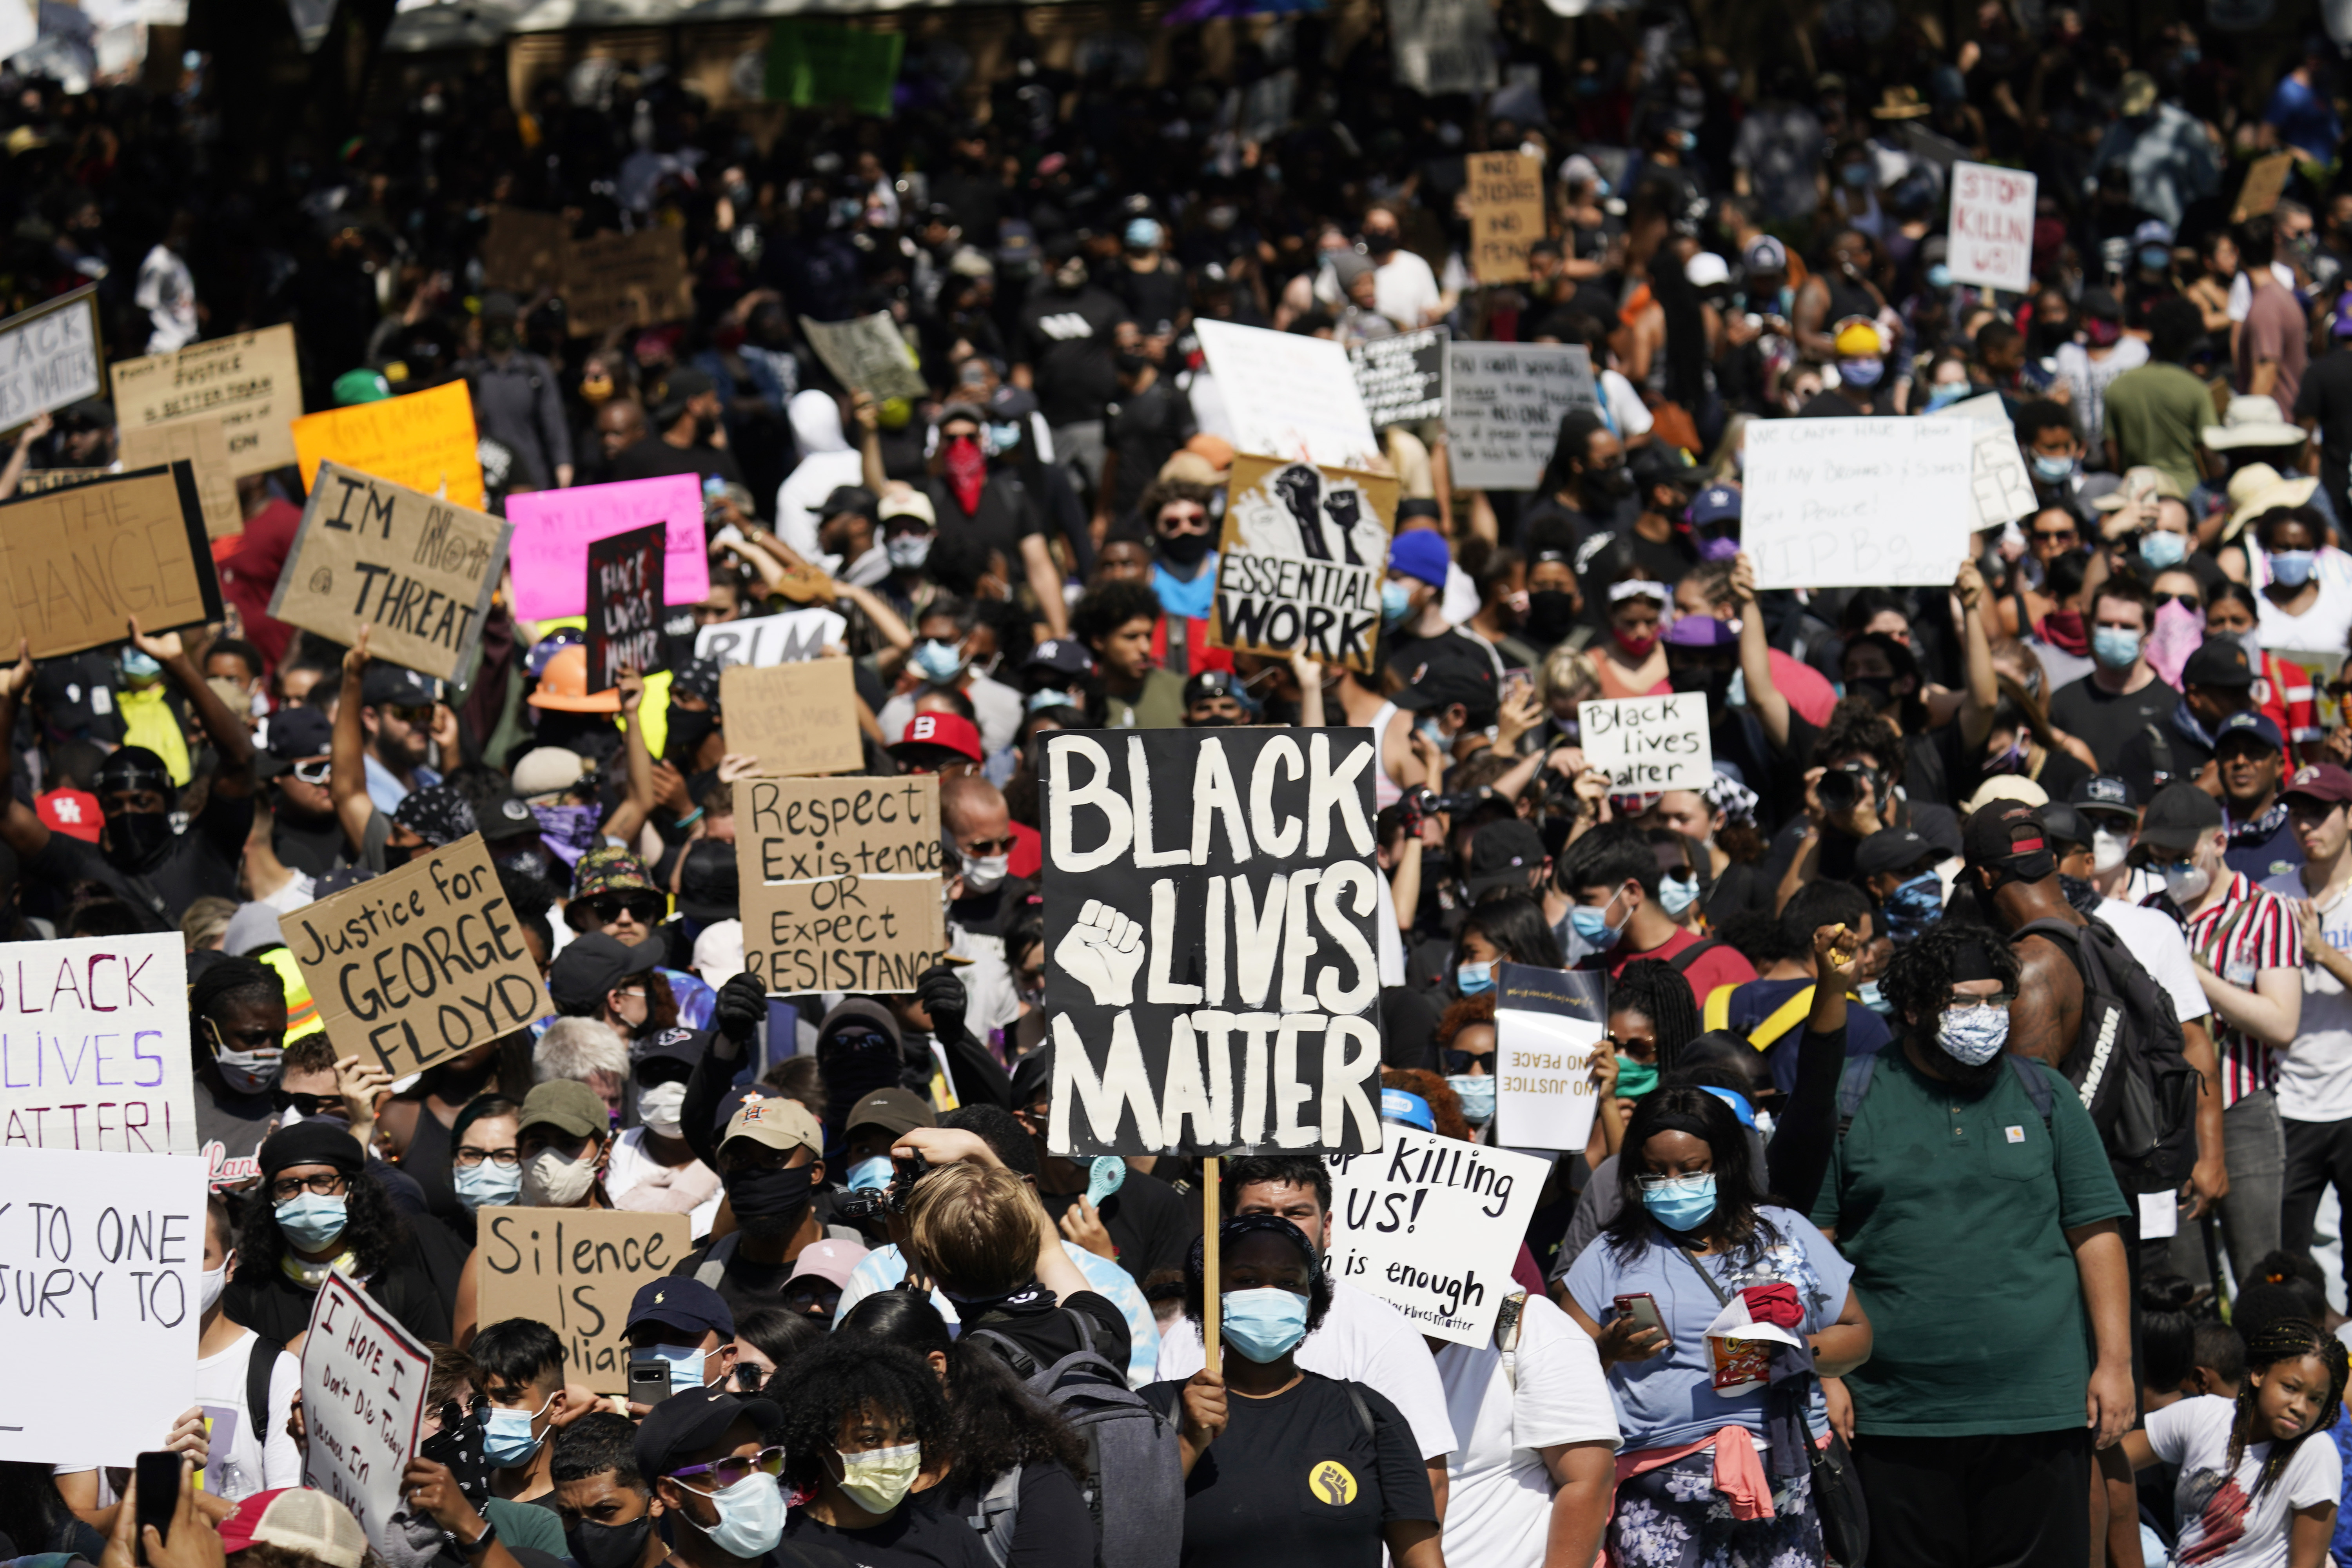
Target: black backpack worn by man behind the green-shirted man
x=2127 y=1061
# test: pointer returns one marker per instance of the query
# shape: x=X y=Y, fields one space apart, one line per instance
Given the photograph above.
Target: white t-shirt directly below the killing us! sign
x=1499 y=1499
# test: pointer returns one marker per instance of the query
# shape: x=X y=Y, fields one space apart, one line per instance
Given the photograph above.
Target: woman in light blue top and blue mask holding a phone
x=1716 y=1320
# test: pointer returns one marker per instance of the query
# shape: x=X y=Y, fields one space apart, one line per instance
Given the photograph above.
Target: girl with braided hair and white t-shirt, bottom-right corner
x=2252 y=1492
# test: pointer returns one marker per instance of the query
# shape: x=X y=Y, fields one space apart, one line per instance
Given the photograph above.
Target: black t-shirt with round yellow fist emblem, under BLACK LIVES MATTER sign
x=1302 y=1480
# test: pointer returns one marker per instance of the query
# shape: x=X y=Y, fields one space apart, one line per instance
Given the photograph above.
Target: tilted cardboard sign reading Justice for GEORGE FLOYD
x=420 y=965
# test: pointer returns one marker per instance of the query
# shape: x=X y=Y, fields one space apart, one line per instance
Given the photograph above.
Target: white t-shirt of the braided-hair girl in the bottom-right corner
x=2221 y=1522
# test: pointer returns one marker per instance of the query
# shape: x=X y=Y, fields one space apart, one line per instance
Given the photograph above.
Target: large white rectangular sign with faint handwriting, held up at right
x=1859 y=502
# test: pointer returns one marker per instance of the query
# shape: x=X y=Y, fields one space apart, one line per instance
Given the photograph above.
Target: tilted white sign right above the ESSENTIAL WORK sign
x=1290 y=396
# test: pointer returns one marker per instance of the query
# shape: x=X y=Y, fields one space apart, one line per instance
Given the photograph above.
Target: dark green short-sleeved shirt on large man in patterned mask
x=1953 y=1214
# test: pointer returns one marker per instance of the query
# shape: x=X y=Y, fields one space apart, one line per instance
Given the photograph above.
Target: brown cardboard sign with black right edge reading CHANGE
x=79 y=563
